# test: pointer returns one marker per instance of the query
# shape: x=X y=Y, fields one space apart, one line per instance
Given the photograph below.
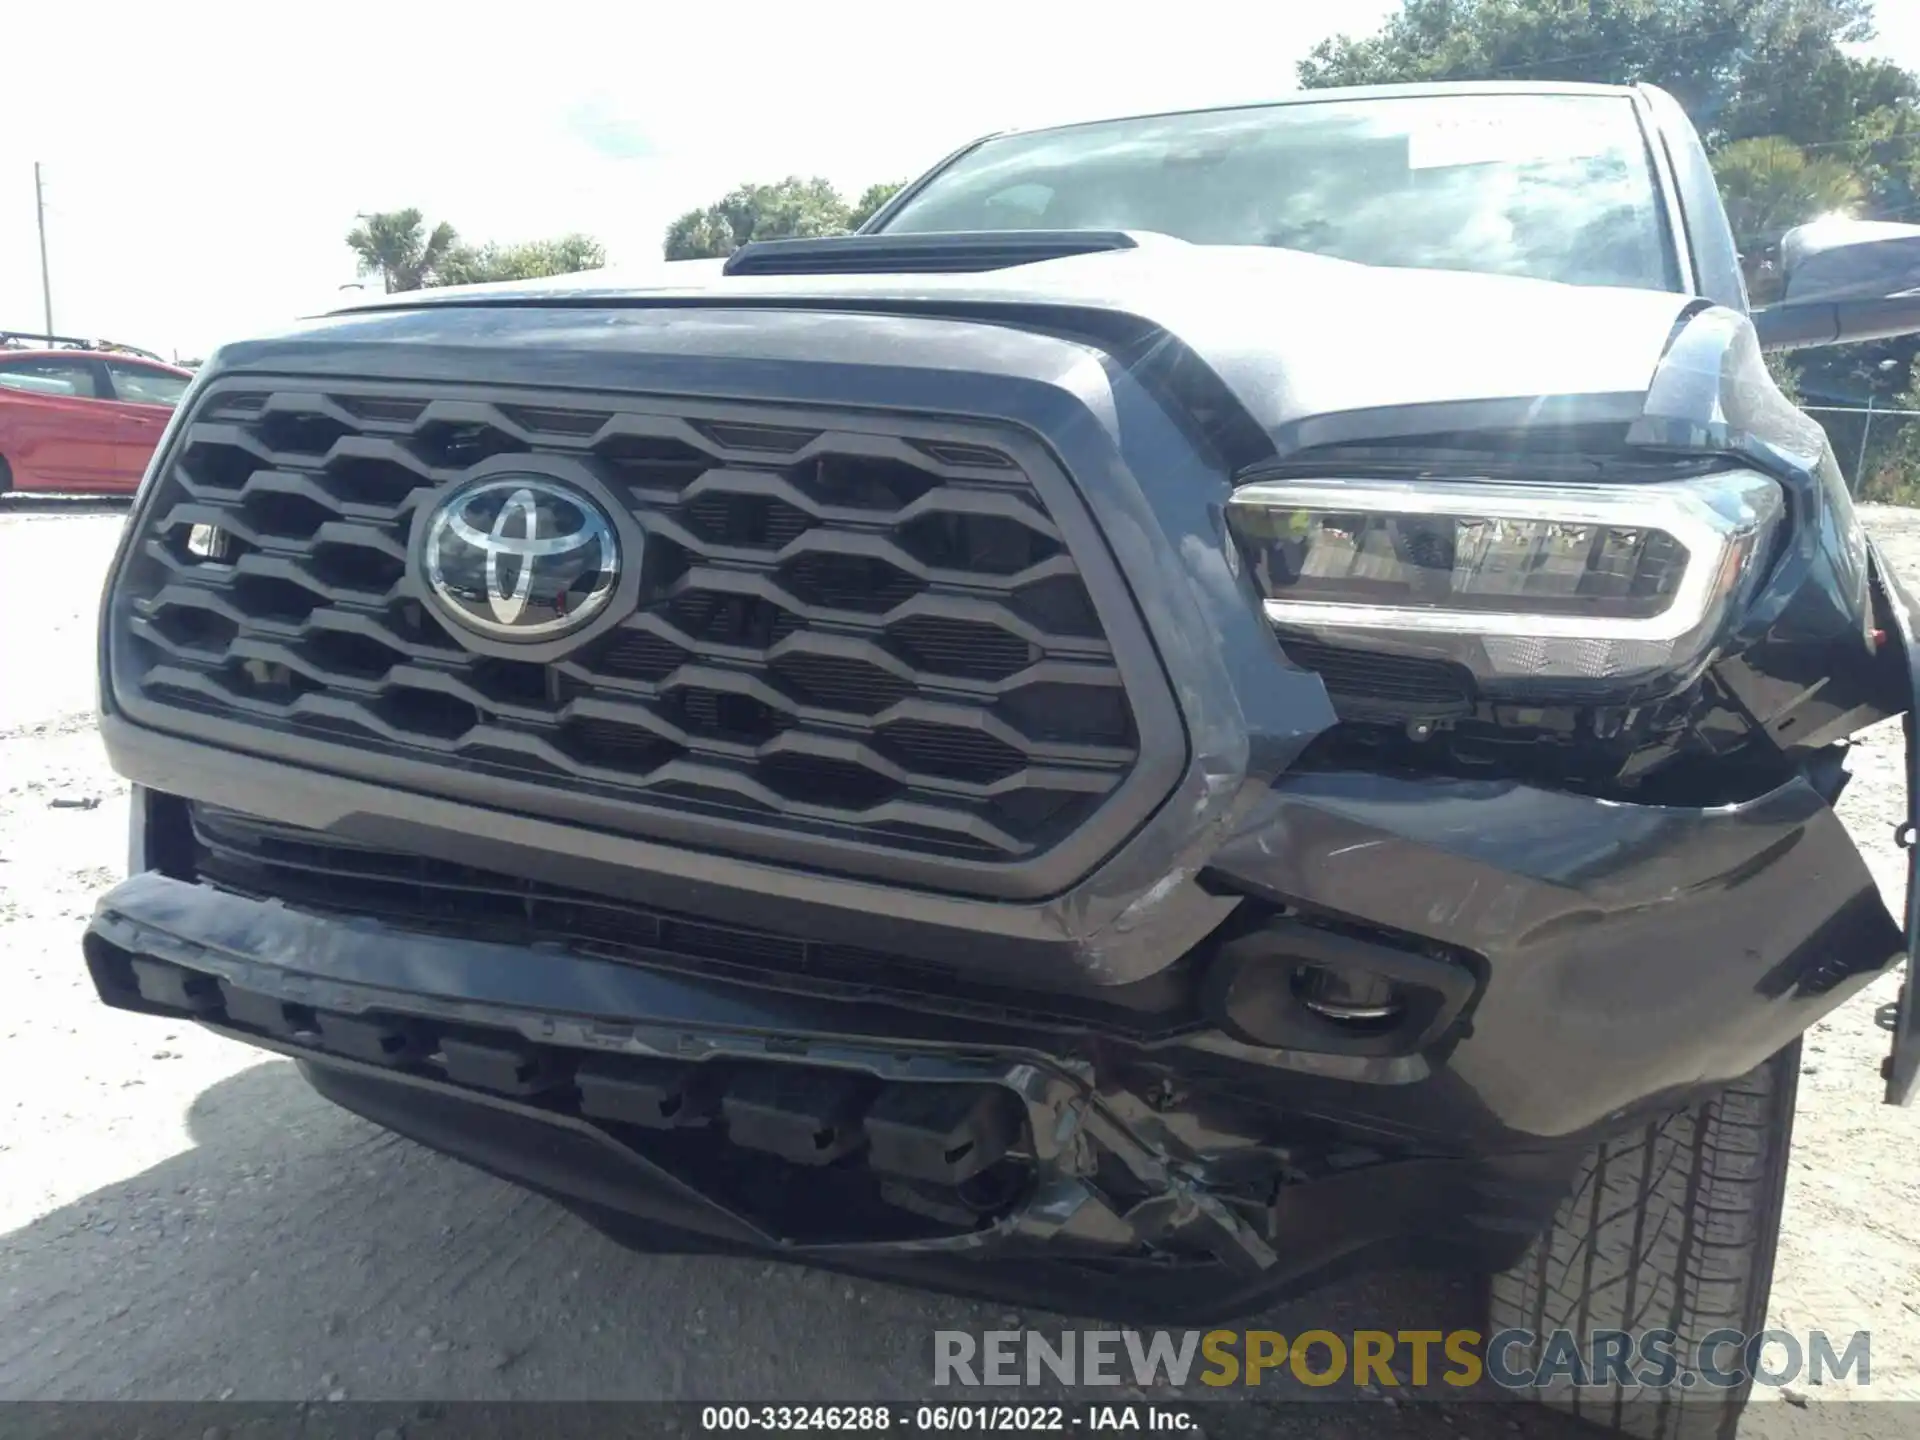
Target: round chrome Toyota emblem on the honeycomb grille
x=521 y=558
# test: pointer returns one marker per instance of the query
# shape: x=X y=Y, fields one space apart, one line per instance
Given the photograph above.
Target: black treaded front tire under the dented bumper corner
x=1669 y=1228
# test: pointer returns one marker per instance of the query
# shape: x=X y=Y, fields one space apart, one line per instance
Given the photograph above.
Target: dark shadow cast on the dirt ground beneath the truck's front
x=297 y=1253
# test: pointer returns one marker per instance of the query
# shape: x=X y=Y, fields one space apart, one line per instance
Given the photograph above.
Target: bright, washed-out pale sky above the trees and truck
x=206 y=158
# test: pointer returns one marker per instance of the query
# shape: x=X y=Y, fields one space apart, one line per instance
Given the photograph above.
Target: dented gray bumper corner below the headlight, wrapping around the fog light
x=1633 y=953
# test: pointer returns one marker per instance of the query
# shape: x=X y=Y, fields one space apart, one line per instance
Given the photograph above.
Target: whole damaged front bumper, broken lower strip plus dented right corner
x=1620 y=959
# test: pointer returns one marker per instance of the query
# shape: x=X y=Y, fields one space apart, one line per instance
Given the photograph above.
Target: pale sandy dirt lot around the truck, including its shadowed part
x=181 y=1218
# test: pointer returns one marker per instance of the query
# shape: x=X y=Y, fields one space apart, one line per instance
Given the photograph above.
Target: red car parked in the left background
x=82 y=418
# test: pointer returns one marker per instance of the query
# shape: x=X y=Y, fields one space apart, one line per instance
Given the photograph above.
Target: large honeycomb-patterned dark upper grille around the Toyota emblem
x=848 y=633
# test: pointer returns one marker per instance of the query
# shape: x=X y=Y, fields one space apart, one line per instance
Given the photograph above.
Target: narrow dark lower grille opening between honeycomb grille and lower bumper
x=270 y=861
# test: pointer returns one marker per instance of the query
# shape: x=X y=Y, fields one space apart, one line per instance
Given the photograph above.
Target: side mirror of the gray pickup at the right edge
x=1844 y=281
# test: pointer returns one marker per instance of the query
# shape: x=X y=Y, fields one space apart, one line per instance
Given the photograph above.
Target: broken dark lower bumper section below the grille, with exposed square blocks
x=984 y=1164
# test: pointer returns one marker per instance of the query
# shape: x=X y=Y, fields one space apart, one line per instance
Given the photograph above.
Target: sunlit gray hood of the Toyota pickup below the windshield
x=1291 y=335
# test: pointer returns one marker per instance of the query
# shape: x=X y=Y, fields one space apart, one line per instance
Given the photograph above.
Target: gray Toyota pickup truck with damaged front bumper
x=1211 y=698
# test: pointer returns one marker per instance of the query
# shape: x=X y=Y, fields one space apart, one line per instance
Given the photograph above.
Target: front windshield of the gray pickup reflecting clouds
x=1547 y=185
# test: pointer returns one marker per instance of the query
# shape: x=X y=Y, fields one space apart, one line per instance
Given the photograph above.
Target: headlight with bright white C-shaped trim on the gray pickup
x=1514 y=581
